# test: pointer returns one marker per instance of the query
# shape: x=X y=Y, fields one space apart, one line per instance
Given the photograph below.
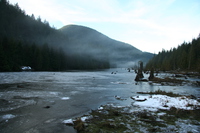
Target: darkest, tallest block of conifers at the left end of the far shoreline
x=14 y=54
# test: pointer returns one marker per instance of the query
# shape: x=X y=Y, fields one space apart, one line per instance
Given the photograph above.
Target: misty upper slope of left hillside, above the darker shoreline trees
x=14 y=23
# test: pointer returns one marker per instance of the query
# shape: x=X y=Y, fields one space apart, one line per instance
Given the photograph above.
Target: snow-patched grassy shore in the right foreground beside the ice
x=150 y=112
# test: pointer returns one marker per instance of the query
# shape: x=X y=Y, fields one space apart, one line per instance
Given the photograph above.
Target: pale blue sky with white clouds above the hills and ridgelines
x=149 y=25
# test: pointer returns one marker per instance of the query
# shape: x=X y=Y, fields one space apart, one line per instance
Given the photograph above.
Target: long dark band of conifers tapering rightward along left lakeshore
x=14 y=54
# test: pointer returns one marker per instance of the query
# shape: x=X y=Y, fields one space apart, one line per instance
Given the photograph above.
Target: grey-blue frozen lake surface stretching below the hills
x=40 y=101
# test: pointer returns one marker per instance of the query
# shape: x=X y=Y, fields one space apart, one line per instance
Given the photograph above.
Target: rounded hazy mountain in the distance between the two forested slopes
x=87 y=41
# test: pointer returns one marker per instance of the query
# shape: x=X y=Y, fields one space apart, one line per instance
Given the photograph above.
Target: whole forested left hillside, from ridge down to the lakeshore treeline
x=27 y=41
